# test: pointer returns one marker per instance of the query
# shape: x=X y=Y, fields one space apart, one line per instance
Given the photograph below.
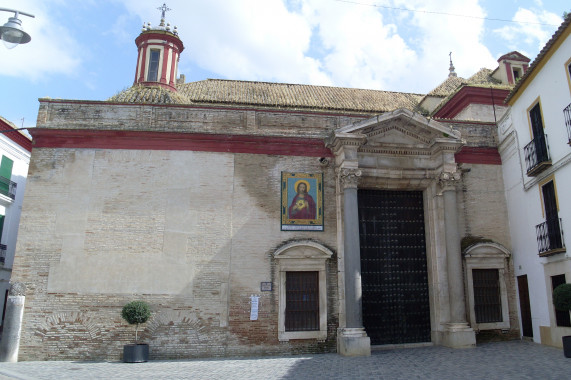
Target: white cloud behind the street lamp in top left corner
x=52 y=49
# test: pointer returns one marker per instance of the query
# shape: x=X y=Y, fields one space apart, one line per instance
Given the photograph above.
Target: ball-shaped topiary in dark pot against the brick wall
x=135 y=313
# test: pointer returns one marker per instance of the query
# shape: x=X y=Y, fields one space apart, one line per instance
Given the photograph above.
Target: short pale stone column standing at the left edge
x=10 y=343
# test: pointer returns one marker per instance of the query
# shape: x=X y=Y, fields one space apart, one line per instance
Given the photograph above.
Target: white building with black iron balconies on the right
x=535 y=147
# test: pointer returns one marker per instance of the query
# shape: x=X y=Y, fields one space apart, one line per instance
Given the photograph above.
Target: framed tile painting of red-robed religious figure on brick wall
x=302 y=201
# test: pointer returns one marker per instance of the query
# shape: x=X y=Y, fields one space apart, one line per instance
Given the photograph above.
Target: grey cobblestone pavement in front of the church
x=506 y=360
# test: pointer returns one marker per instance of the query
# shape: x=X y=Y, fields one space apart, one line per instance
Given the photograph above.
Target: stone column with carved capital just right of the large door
x=459 y=334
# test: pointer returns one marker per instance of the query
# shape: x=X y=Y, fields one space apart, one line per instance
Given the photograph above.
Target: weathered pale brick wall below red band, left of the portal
x=192 y=233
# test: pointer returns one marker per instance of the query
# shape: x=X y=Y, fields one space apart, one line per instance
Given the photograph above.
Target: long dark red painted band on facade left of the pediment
x=288 y=146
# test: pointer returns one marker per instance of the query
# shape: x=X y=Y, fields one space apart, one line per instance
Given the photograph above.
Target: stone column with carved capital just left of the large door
x=353 y=340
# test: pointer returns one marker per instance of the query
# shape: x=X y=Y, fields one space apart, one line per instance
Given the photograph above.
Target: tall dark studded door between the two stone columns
x=393 y=267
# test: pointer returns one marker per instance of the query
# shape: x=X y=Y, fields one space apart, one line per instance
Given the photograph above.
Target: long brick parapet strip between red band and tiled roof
x=190 y=119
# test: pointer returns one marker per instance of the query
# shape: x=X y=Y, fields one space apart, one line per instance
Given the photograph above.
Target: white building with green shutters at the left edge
x=15 y=149
